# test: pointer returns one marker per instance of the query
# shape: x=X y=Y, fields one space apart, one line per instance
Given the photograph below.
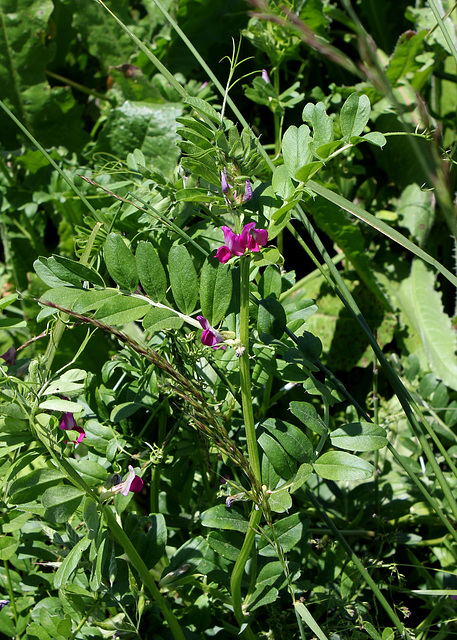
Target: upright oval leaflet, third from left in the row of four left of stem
x=183 y=278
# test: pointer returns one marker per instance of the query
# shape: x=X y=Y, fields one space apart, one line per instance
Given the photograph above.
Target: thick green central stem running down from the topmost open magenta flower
x=253 y=452
